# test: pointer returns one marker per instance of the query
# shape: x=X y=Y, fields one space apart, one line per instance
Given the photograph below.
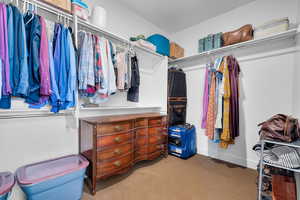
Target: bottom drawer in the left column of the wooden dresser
x=105 y=168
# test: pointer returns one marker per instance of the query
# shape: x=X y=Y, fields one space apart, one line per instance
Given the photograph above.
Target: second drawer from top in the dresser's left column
x=112 y=140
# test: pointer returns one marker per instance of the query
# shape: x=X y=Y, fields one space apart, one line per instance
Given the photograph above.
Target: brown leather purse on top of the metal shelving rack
x=281 y=128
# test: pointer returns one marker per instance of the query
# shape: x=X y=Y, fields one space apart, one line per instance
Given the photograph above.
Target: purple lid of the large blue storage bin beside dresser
x=43 y=171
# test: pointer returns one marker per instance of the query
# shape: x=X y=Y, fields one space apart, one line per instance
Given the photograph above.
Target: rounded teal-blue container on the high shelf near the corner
x=162 y=44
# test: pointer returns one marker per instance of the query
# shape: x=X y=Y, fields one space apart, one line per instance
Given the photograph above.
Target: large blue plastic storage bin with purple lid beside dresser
x=56 y=179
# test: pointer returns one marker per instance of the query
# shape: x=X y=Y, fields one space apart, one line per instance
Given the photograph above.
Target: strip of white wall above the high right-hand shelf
x=256 y=13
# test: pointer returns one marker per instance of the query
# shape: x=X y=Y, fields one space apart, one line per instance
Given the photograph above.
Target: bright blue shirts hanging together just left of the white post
x=64 y=62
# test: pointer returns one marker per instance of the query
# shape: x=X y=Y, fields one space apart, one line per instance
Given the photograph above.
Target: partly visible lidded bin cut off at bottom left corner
x=7 y=181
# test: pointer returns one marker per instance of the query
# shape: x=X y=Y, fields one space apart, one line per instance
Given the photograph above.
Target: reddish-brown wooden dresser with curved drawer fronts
x=113 y=144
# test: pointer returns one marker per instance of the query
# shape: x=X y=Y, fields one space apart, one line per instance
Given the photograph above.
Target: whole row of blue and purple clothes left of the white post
x=37 y=61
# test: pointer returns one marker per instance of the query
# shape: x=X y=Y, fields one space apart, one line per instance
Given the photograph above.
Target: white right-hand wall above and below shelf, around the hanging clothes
x=266 y=78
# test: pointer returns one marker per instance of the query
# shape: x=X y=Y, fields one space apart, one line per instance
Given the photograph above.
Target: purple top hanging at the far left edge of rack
x=6 y=89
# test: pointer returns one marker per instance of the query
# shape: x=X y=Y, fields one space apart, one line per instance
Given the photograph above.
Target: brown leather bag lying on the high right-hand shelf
x=242 y=34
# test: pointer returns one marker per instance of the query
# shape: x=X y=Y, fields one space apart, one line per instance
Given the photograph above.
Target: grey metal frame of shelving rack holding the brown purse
x=295 y=144
